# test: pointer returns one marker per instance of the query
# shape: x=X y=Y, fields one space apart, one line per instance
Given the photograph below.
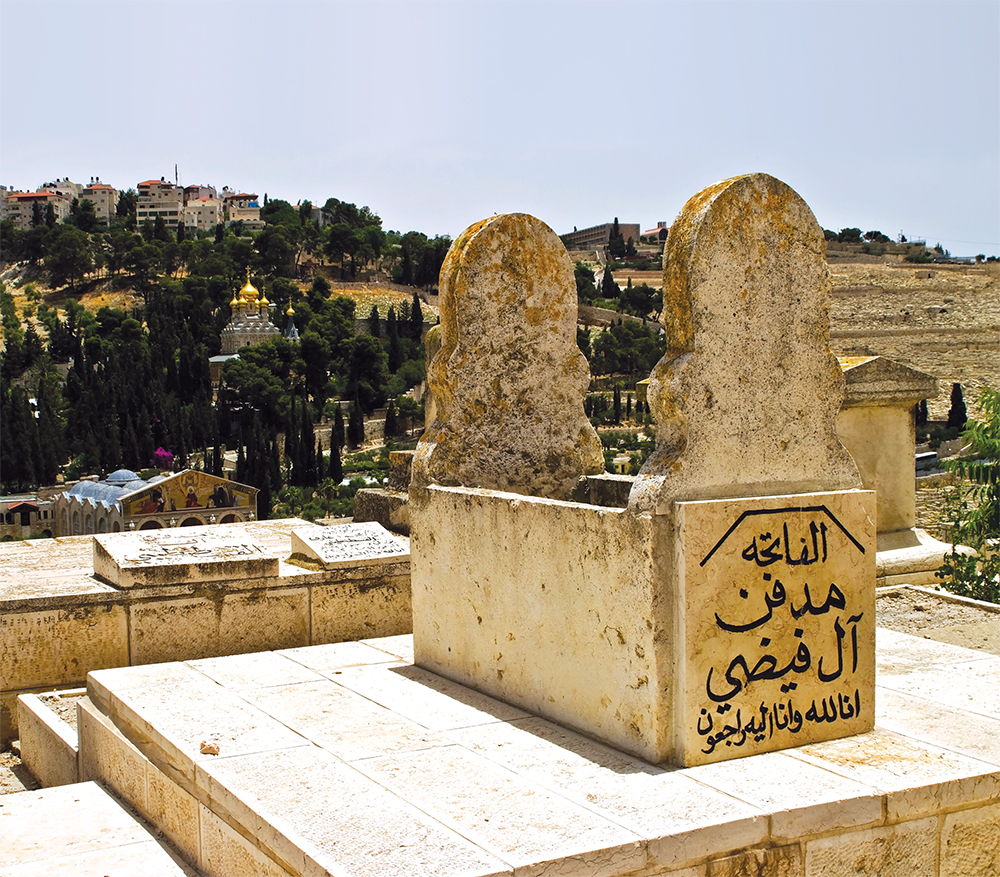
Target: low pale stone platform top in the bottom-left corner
x=78 y=830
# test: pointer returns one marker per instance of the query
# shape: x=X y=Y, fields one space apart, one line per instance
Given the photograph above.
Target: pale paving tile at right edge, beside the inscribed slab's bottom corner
x=915 y=716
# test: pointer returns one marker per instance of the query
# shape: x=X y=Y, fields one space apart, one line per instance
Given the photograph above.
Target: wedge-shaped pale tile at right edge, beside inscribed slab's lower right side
x=968 y=685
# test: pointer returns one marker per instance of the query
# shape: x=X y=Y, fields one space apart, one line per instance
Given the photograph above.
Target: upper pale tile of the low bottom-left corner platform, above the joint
x=65 y=820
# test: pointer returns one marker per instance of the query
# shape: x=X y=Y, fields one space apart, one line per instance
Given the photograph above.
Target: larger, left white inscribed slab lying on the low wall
x=170 y=557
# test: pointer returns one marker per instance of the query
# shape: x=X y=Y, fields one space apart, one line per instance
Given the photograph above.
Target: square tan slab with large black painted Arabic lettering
x=777 y=622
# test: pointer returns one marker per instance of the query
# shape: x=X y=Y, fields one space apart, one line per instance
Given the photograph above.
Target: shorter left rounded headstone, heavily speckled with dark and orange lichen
x=508 y=382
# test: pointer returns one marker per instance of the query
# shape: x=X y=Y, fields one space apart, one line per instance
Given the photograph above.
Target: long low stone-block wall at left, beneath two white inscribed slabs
x=58 y=621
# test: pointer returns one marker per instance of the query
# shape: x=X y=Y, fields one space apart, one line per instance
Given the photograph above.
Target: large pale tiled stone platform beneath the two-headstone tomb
x=347 y=759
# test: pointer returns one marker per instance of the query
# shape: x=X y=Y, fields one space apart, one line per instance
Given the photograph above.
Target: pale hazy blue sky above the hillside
x=881 y=115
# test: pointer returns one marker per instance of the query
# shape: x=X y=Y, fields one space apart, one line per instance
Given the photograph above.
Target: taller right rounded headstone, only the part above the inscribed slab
x=748 y=392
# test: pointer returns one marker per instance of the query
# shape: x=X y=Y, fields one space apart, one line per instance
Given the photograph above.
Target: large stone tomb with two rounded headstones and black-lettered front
x=609 y=620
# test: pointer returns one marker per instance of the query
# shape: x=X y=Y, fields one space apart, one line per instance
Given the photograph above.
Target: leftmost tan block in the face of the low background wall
x=89 y=638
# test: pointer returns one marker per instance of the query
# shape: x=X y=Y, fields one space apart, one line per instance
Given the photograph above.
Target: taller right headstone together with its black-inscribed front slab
x=772 y=565
